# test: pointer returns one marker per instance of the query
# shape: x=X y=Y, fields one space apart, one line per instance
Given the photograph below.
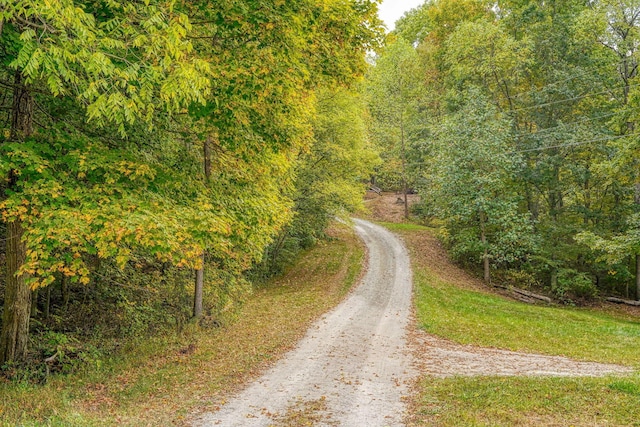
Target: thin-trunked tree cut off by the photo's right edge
x=615 y=28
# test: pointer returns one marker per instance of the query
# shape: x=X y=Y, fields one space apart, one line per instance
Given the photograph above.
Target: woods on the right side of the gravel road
x=516 y=122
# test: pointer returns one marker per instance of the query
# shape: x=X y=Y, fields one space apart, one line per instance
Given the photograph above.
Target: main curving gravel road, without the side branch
x=351 y=368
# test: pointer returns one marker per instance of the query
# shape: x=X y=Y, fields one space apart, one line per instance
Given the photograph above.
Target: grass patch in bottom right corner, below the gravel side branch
x=512 y=401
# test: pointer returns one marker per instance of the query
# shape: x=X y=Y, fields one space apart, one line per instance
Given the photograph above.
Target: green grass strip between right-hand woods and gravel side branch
x=471 y=317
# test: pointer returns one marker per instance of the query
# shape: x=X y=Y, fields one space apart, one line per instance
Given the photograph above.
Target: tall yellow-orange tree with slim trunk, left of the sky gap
x=267 y=62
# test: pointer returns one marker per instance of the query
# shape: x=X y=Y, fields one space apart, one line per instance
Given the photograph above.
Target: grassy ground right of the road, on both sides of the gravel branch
x=451 y=304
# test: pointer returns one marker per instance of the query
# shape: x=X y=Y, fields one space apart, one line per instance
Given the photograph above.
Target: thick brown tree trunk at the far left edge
x=17 y=300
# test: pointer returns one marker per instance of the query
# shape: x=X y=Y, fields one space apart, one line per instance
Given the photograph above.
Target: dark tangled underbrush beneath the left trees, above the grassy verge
x=76 y=327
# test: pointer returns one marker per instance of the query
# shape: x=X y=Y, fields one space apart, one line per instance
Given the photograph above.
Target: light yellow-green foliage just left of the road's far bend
x=329 y=177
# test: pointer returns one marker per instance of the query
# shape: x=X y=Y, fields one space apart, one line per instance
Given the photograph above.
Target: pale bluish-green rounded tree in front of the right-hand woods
x=470 y=177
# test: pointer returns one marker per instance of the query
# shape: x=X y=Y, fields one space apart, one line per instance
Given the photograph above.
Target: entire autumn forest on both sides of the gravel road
x=163 y=159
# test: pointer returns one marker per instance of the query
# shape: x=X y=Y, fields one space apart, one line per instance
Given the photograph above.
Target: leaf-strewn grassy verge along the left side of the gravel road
x=166 y=380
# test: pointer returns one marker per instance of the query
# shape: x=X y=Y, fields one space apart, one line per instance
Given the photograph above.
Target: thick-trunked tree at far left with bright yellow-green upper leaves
x=121 y=67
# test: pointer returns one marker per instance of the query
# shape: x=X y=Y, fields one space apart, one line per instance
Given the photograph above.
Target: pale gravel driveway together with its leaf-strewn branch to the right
x=354 y=366
